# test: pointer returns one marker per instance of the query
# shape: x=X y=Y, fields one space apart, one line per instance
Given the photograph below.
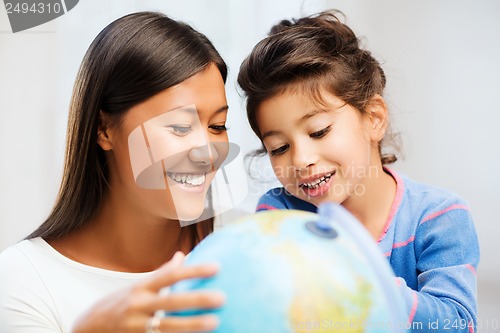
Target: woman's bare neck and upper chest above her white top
x=123 y=239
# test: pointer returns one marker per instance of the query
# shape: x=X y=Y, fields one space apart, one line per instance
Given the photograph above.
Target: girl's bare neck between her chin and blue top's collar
x=372 y=209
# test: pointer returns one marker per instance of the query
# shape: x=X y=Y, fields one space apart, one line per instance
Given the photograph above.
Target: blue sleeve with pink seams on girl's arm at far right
x=447 y=254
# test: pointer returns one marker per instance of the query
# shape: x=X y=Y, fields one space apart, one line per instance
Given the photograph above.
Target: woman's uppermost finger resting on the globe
x=168 y=275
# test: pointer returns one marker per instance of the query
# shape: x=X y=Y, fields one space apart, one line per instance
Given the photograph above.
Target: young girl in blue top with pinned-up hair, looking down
x=314 y=98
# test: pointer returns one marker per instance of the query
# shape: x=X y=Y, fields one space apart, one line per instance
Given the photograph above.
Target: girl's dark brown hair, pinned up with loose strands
x=318 y=52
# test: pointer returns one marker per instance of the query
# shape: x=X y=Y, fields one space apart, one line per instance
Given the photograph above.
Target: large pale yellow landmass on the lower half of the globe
x=320 y=303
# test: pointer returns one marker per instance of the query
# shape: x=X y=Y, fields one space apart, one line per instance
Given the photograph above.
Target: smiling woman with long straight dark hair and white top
x=149 y=95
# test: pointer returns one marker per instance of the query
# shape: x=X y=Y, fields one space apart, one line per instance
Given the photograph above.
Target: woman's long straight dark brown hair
x=132 y=59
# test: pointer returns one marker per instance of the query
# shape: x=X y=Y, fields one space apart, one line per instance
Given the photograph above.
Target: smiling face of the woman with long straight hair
x=166 y=150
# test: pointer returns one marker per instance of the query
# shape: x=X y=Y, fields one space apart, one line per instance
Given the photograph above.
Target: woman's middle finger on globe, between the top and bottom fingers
x=175 y=302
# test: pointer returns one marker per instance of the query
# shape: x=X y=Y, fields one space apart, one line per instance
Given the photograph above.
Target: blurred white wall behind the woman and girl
x=440 y=57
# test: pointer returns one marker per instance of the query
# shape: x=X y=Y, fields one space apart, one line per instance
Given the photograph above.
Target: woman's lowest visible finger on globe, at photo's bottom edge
x=202 y=323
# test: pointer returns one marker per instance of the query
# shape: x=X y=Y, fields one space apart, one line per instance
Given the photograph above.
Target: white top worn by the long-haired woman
x=42 y=291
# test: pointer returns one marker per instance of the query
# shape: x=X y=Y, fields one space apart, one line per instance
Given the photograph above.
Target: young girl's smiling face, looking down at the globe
x=319 y=152
